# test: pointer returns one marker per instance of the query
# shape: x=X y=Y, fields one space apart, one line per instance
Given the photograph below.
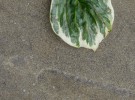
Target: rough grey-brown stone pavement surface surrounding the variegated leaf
x=35 y=64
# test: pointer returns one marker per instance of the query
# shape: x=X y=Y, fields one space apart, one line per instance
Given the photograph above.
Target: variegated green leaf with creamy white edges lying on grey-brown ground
x=82 y=23
